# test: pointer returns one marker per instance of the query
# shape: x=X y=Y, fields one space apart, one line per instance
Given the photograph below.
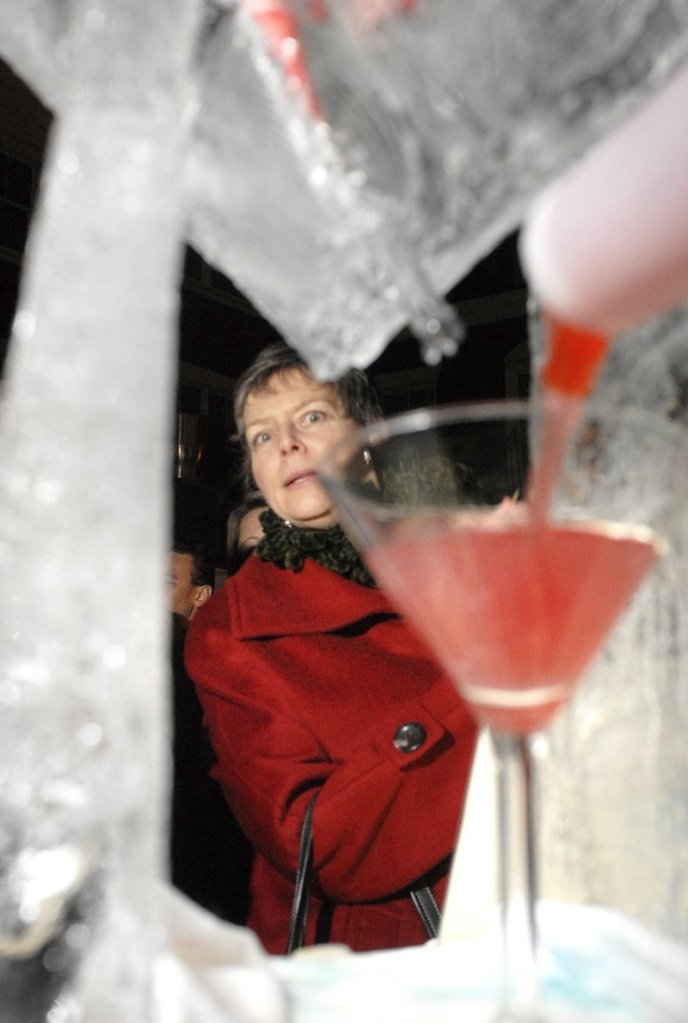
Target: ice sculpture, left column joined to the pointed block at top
x=342 y=218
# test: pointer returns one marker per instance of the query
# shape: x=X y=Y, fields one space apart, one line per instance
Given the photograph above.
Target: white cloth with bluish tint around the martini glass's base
x=598 y=966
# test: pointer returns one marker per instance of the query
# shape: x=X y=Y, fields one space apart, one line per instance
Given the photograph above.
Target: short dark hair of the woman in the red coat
x=357 y=394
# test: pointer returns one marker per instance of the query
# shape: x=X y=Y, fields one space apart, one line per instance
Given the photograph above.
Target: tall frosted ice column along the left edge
x=84 y=472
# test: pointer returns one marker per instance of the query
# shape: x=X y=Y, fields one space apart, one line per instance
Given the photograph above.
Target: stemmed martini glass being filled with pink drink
x=515 y=600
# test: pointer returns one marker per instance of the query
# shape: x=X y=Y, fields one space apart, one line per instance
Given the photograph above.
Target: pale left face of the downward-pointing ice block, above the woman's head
x=273 y=204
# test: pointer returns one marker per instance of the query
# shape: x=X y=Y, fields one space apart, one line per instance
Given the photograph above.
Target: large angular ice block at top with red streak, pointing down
x=354 y=186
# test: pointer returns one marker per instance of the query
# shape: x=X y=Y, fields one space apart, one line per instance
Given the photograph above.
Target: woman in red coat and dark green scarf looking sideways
x=311 y=683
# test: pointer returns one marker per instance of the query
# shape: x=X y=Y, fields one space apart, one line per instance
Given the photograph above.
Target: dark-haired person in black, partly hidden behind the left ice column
x=210 y=858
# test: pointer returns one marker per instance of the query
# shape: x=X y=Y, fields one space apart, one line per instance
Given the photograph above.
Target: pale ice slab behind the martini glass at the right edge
x=615 y=807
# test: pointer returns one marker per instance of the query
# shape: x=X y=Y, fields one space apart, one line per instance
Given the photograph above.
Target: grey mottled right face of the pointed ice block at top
x=493 y=99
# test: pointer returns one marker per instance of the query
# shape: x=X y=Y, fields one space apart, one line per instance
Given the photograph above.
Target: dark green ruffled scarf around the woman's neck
x=288 y=547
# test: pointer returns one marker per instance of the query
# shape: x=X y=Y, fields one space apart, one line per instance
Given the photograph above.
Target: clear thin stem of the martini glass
x=518 y=877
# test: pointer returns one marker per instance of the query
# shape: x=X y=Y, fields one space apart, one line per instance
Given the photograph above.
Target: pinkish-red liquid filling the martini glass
x=515 y=610
